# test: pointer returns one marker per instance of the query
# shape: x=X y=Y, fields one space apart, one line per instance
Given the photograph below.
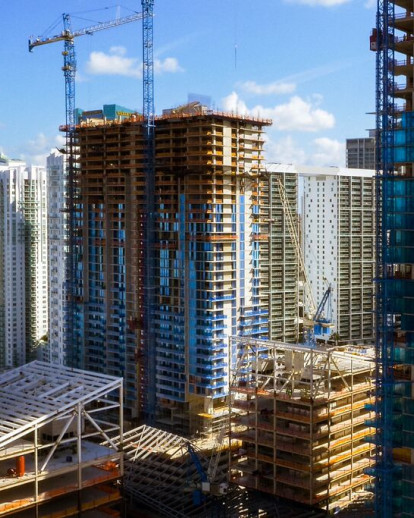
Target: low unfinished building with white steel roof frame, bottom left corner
x=50 y=461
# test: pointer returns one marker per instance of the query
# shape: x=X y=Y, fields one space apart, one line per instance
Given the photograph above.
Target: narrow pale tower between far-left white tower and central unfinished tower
x=57 y=221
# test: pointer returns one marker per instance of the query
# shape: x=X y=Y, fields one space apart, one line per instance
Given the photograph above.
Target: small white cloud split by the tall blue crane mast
x=117 y=63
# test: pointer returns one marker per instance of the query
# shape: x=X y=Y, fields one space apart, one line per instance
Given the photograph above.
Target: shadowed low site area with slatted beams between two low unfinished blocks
x=174 y=476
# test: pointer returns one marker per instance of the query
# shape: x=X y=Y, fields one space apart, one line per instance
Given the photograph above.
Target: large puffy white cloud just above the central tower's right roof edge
x=295 y=115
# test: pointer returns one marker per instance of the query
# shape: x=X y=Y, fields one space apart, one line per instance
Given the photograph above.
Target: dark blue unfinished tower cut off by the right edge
x=393 y=40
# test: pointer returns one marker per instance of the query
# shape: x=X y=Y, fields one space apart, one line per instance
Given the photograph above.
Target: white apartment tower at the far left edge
x=23 y=261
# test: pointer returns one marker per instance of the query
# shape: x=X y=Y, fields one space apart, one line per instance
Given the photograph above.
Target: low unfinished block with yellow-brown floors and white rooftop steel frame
x=303 y=416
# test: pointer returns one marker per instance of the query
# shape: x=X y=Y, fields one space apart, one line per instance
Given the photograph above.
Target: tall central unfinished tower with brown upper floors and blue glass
x=209 y=242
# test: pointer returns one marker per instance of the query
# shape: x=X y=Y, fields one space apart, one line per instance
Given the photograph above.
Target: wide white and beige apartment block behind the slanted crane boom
x=337 y=243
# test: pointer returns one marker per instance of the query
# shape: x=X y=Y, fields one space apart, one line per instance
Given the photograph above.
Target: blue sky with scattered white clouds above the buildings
x=305 y=64
